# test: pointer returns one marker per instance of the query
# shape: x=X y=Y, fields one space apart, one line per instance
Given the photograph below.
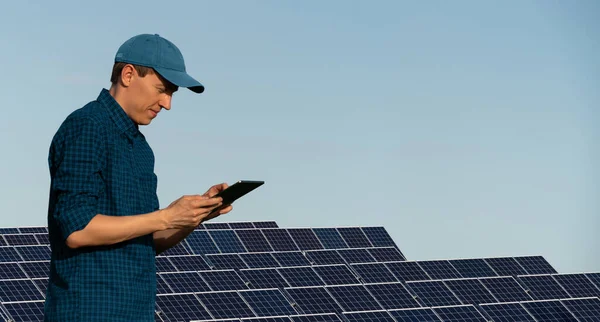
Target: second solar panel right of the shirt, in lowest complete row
x=225 y=305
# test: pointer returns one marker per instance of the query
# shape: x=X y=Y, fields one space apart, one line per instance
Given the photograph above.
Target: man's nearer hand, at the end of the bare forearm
x=189 y=211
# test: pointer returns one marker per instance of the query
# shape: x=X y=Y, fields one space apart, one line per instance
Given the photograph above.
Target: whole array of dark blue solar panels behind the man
x=257 y=271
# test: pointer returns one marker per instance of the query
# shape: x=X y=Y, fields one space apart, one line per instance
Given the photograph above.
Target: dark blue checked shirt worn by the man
x=100 y=163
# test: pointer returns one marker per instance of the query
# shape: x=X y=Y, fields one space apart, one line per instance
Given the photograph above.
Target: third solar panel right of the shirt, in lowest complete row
x=268 y=302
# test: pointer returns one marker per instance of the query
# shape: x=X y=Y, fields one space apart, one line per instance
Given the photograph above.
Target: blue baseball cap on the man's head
x=160 y=54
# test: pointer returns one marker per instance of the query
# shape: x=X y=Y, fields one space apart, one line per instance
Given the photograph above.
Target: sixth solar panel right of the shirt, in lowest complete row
x=392 y=295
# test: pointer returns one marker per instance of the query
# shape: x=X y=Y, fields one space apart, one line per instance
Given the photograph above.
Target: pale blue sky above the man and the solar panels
x=465 y=128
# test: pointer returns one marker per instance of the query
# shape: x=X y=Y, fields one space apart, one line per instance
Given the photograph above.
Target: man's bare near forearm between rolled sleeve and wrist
x=108 y=230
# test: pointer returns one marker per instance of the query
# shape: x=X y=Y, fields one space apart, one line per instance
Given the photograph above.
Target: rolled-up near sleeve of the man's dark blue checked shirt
x=78 y=161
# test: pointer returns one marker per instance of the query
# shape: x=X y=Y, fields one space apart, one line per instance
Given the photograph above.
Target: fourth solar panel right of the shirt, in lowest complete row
x=313 y=300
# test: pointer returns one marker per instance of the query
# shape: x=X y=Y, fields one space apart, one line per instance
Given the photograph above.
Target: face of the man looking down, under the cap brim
x=146 y=96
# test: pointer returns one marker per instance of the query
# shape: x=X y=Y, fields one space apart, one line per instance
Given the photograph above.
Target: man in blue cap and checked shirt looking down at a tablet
x=105 y=224
